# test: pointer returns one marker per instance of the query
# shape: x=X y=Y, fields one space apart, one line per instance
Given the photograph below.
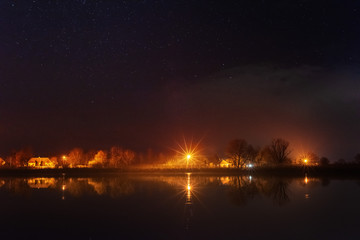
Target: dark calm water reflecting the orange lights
x=183 y=206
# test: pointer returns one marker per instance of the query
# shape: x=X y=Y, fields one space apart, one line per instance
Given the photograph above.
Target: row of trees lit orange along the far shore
x=239 y=153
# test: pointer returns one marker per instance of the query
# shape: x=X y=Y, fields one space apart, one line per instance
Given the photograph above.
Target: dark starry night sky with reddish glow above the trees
x=143 y=74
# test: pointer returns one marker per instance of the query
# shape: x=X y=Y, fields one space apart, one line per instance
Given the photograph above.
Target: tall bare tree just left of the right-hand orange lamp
x=279 y=151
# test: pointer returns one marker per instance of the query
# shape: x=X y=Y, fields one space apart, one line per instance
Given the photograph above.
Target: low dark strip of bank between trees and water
x=345 y=171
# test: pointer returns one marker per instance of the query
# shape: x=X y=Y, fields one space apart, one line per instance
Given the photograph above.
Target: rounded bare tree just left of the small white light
x=236 y=151
